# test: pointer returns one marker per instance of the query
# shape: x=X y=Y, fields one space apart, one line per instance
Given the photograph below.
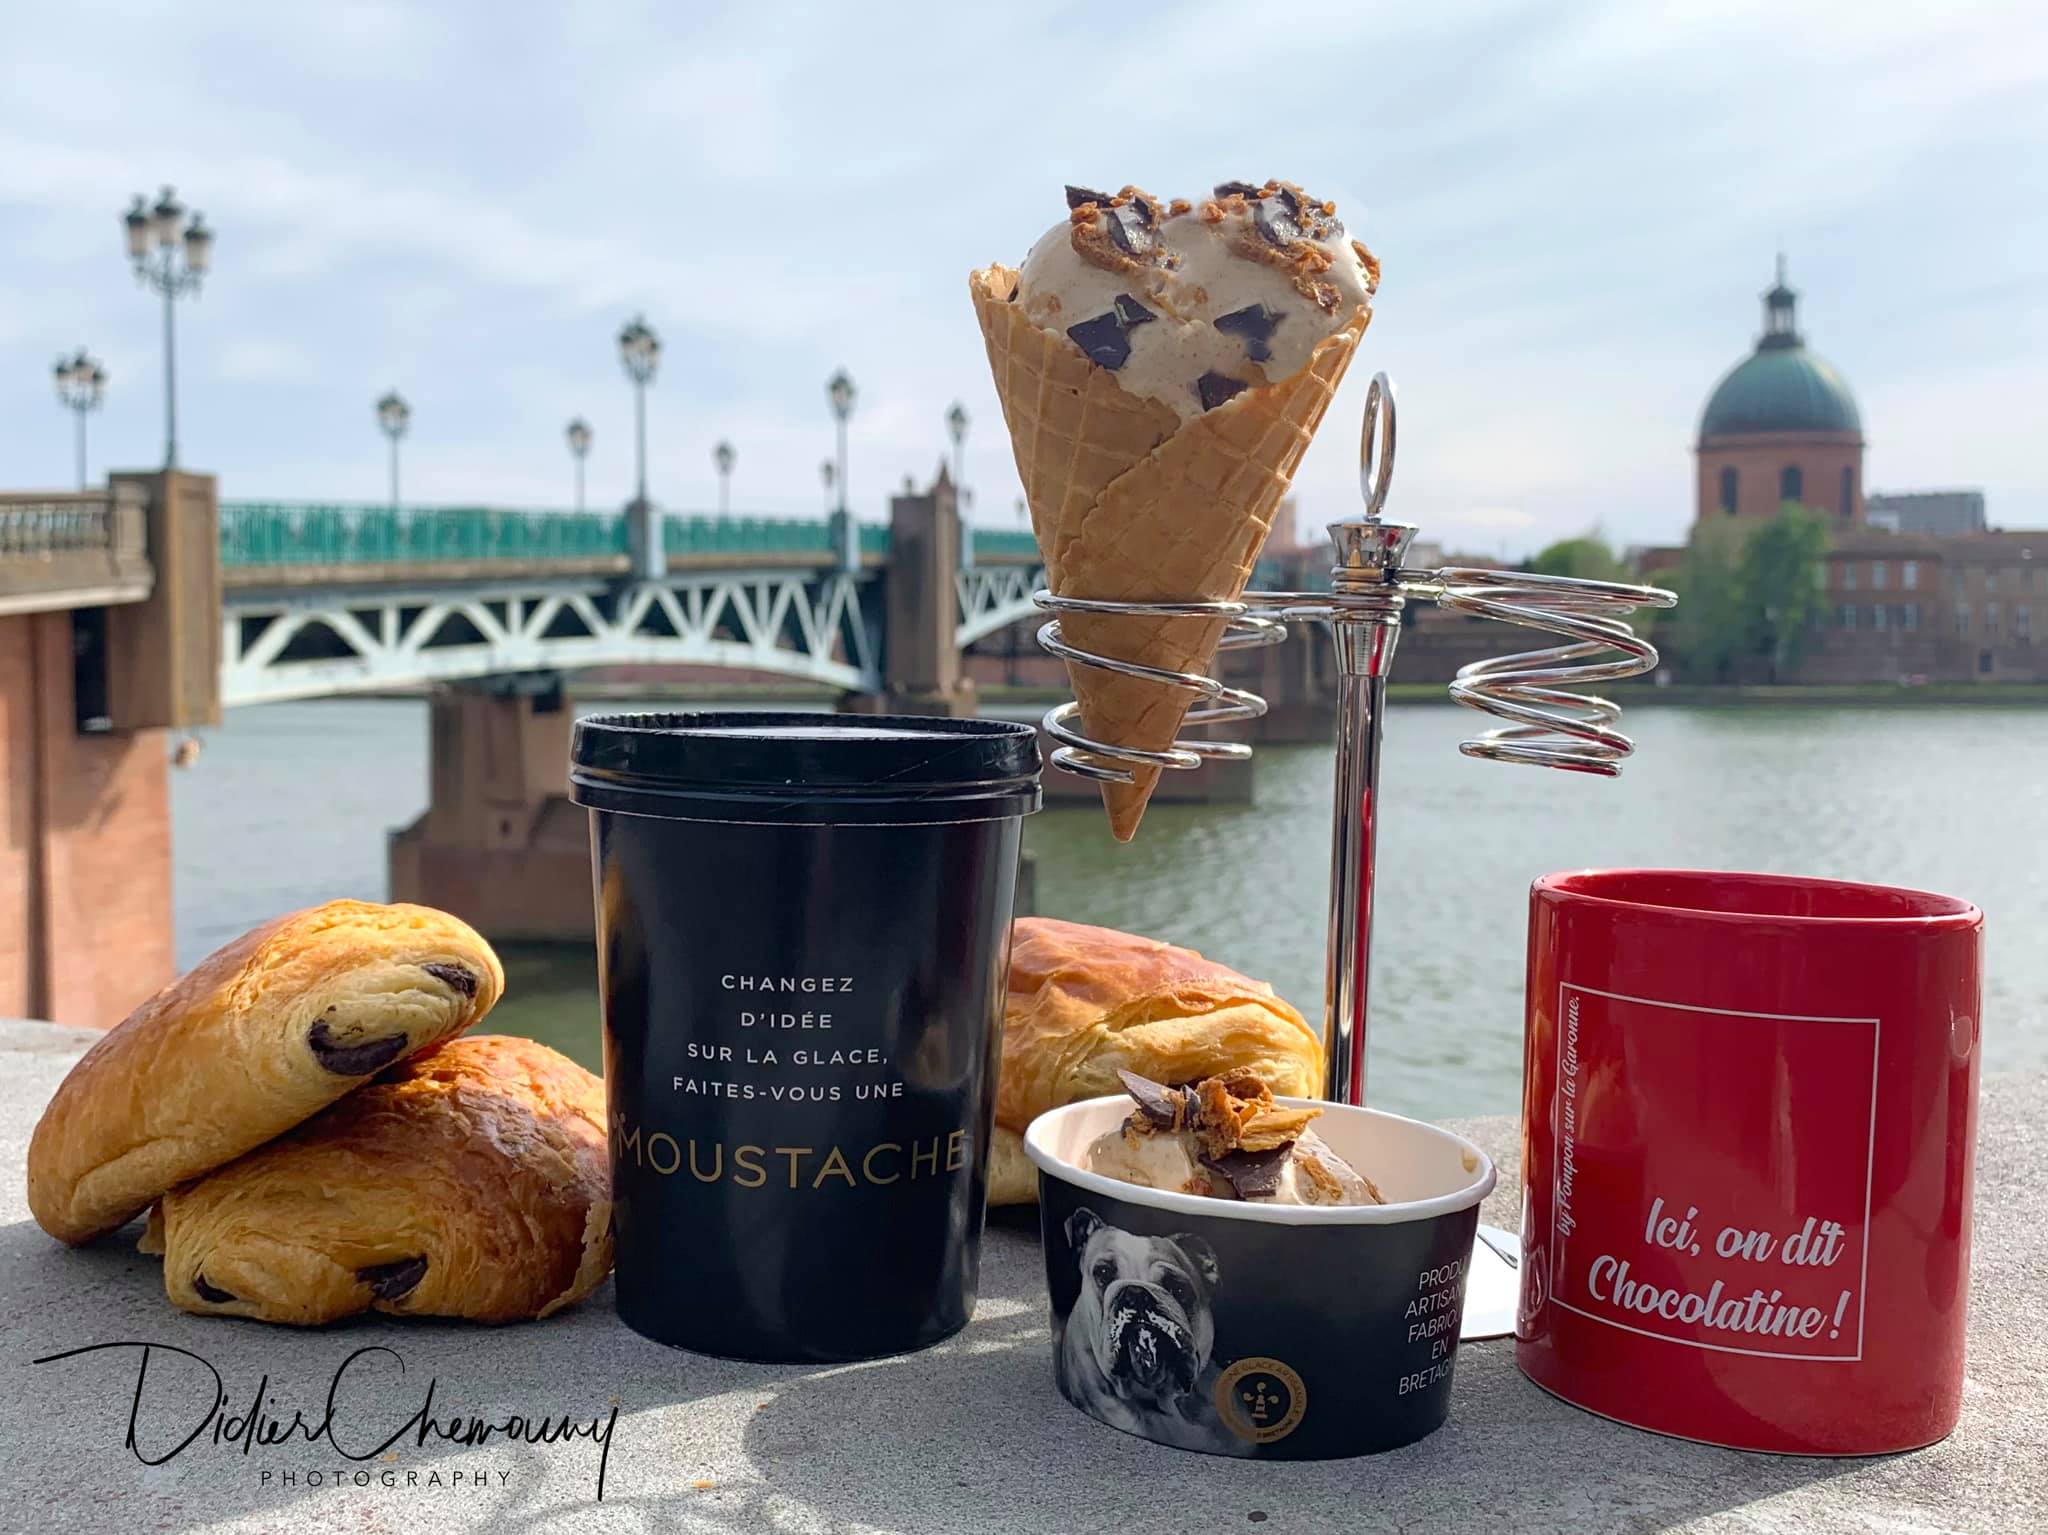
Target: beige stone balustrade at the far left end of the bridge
x=75 y=550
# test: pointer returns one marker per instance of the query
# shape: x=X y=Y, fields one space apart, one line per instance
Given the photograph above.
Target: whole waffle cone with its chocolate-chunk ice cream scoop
x=1162 y=369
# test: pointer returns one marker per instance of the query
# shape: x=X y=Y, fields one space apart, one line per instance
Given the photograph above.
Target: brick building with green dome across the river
x=1926 y=605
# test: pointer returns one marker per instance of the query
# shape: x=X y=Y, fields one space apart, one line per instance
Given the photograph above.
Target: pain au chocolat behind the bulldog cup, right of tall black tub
x=1091 y=1002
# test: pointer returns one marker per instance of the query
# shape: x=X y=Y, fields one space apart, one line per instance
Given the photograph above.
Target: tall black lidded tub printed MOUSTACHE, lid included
x=804 y=928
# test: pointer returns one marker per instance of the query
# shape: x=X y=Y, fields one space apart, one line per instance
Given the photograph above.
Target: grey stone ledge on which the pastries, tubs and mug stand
x=962 y=1438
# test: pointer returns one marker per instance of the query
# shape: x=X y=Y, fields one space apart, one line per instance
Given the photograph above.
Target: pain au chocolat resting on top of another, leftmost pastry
x=261 y=1037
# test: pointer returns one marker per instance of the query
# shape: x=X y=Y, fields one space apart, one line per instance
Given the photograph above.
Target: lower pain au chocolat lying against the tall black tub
x=466 y=1182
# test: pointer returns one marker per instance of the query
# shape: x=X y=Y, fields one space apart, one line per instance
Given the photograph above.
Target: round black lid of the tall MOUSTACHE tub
x=783 y=760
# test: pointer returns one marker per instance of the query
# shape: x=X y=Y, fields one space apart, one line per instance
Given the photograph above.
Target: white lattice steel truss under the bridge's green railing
x=796 y=623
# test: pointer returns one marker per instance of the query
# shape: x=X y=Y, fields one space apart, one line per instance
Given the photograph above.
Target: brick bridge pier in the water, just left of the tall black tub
x=499 y=842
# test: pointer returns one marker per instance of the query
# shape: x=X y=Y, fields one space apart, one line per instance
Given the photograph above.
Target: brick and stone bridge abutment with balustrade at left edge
x=110 y=631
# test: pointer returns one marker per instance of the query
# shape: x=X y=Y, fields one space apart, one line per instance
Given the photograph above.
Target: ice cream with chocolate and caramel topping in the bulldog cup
x=1228 y=1139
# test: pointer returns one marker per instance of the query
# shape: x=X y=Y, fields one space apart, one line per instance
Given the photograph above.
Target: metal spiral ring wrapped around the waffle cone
x=1089 y=758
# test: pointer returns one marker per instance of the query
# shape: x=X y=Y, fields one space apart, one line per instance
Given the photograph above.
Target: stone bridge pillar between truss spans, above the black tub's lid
x=921 y=658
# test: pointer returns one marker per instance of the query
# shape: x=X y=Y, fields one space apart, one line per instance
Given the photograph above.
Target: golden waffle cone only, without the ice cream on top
x=1134 y=502
